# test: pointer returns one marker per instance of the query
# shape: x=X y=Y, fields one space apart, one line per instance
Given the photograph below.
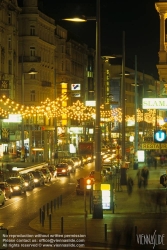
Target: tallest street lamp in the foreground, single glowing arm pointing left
x=97 y=211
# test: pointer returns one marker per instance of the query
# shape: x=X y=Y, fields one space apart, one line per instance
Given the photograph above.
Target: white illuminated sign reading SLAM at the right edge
x=154 y=103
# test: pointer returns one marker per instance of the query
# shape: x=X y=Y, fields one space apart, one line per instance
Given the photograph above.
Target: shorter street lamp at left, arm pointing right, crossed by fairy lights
x=32 y=71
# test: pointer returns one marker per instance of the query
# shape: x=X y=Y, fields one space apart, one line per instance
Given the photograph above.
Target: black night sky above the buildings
x=139 y=20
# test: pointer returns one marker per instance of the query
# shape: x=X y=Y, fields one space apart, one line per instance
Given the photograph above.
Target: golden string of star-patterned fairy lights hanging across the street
x=78 y=111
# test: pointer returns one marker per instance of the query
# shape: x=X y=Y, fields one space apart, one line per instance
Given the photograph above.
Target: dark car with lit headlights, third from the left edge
x=17 y=184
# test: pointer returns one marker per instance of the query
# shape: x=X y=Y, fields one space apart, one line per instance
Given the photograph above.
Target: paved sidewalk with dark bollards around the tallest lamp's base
x=130 y=211
